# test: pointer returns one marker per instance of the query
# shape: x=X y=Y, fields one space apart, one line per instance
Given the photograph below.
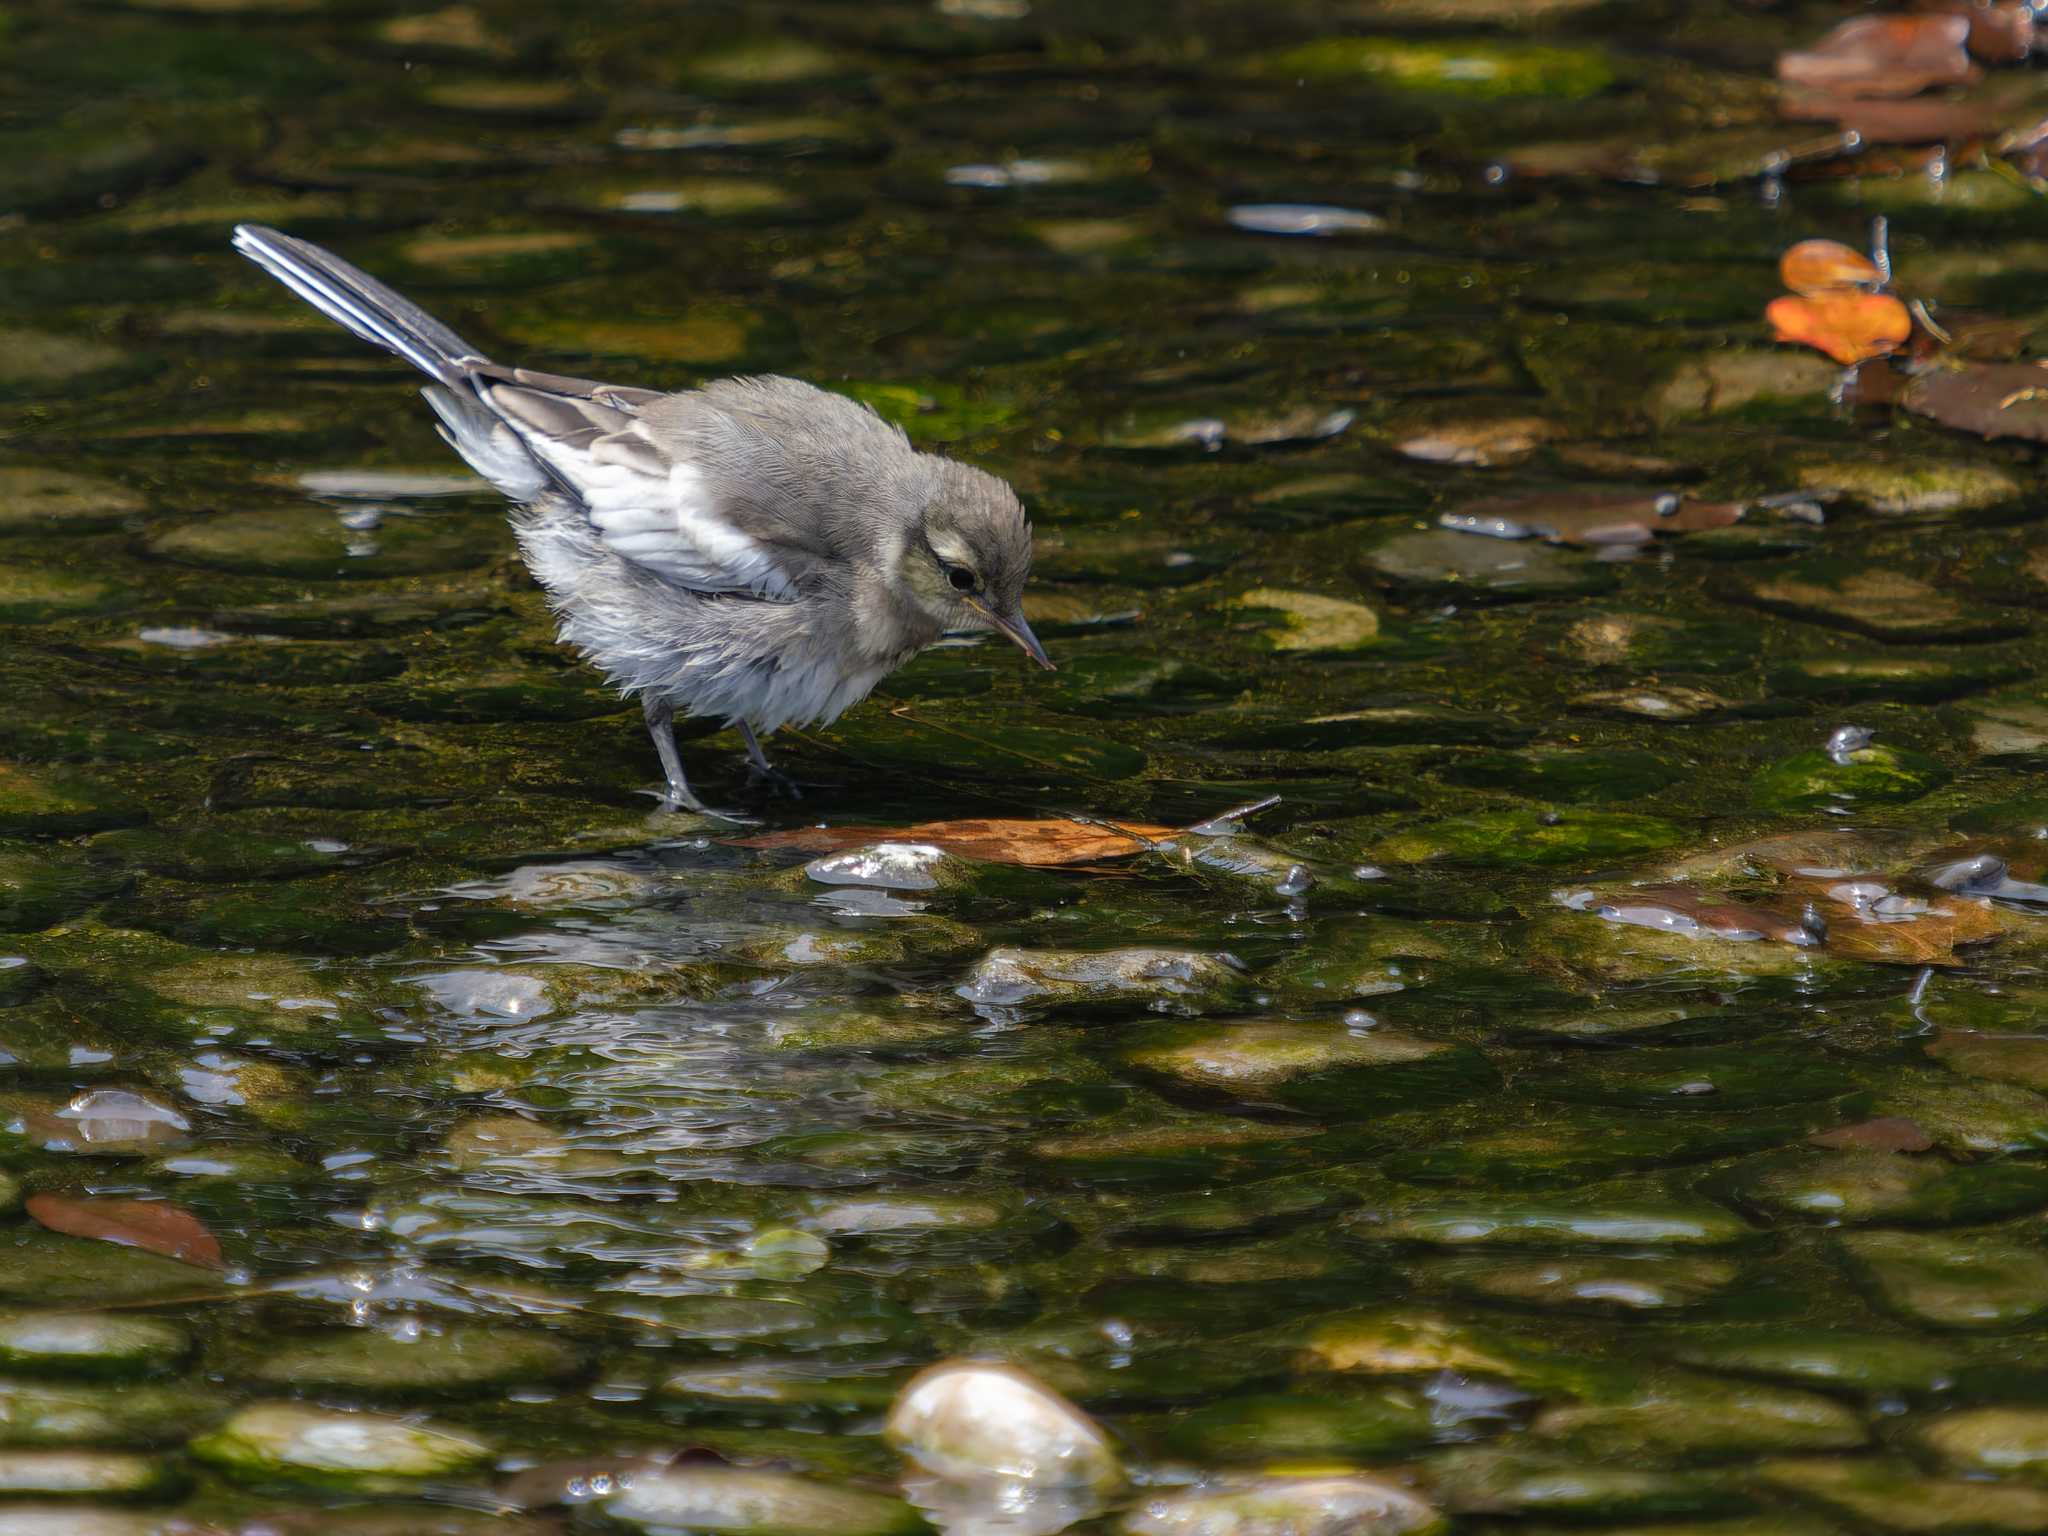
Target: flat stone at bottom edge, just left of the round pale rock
x=757 y=1502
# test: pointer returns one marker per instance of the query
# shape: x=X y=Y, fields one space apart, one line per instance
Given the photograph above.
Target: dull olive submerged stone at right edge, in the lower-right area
x=1965 y=1281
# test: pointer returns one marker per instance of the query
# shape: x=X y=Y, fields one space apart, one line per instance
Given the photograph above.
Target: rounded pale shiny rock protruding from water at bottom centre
x=974 y=1420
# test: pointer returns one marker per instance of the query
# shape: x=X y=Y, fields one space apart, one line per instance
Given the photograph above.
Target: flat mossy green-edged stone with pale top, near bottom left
x=308 y=1445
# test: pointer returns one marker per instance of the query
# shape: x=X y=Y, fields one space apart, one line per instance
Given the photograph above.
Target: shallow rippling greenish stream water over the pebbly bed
x=1586 y=1097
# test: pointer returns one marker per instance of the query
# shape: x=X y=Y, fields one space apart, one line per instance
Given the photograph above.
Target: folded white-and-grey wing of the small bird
x=648 y=497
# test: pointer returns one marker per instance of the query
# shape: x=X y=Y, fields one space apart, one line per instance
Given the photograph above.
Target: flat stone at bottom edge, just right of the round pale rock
x=1285 y=1506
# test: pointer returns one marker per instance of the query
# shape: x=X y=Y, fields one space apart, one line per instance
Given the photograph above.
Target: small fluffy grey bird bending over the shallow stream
x=755 y=550
